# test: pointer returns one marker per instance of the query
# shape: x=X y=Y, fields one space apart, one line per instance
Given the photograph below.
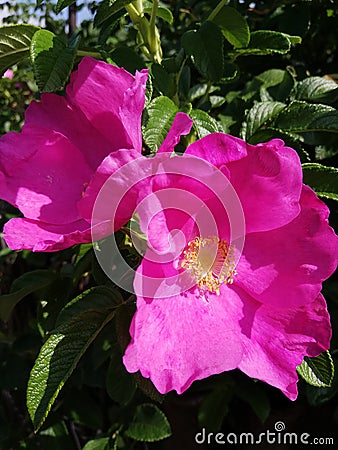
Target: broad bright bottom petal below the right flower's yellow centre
x=184 y=338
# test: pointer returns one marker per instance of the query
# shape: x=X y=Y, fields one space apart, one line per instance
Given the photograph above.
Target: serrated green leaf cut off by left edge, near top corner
x=14 y=44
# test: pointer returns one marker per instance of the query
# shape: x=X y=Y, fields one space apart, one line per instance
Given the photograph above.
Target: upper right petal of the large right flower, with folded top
x=267 y=177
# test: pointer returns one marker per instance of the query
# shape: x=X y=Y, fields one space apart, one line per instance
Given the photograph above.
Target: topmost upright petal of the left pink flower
x=112 y=100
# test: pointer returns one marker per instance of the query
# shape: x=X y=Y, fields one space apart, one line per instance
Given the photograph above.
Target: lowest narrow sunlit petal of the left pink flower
x=26 y=234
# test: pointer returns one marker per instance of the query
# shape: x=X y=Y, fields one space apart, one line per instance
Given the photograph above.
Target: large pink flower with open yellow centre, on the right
x=212 y=295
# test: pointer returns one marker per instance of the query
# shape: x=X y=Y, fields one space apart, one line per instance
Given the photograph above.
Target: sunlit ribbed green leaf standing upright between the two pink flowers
x=161 y=113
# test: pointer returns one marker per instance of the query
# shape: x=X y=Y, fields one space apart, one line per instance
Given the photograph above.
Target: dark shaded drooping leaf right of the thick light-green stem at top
x=205 y=47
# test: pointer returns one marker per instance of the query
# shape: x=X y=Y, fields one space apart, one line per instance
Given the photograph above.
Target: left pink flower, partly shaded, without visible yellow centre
x=45 y=169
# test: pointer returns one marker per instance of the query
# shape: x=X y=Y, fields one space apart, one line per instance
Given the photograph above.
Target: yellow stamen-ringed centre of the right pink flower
x=210 y=262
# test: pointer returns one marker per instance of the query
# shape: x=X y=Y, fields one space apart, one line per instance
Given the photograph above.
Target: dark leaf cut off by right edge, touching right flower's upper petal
x=323 y=179
